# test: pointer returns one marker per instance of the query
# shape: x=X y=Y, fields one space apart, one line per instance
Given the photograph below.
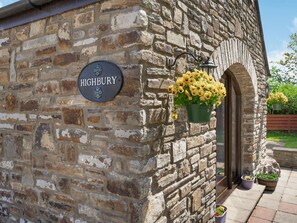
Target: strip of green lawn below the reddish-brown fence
x=289 y=138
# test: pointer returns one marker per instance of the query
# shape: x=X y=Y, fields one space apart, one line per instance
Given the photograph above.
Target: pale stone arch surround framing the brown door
x=233 y=55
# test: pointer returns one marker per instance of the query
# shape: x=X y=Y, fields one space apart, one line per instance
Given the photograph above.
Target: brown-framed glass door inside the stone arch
x=228 y=138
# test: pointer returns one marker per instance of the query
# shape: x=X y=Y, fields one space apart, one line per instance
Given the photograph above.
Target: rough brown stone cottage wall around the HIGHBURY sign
x=66 y=159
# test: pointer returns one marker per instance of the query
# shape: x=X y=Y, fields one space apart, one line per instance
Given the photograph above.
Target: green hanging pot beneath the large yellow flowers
x=199 y=113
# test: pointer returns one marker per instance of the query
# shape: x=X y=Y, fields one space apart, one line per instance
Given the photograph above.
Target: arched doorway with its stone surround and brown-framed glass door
x=237 y=126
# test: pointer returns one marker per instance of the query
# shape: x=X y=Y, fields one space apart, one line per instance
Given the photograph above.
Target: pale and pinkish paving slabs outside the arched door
x=259 y=206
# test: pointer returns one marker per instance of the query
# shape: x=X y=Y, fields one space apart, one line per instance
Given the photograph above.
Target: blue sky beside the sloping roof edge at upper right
x=279 y=20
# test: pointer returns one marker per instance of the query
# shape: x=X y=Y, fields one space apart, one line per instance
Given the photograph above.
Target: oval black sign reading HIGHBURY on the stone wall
x=100 y=81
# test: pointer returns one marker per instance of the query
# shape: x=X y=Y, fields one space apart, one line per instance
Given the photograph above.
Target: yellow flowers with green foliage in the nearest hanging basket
x=196 y=87
